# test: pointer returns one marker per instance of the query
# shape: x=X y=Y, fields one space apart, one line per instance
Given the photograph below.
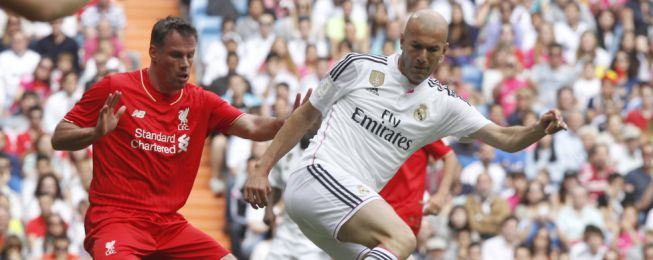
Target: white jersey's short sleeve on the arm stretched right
x=462 y=119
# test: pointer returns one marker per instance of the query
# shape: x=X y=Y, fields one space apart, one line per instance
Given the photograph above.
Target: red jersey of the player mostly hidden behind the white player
x=404 y=192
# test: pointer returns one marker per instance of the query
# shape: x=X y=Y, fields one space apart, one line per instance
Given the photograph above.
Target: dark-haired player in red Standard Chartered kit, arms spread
x=147 y=144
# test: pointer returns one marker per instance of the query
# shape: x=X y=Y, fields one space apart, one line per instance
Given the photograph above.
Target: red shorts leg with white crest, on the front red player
x=120 y=241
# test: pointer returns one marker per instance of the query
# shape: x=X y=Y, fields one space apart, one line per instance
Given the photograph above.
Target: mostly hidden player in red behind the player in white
x=405 y=190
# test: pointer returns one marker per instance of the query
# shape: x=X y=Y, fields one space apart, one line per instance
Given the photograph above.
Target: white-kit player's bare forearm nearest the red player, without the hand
x=295 y=127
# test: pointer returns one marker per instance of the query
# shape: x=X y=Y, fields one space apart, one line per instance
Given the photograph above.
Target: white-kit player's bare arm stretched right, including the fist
x=515 y=138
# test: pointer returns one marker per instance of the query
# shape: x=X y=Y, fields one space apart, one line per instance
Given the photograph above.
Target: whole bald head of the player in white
x=424 y=44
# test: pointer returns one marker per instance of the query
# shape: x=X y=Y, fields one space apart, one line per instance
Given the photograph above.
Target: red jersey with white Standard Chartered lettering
x=149 y=162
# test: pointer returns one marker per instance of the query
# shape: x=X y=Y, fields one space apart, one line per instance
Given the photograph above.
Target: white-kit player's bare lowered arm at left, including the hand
x=257 y=186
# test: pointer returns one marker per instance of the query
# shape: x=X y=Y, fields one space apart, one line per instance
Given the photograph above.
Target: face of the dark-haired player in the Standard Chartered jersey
x=175 y=57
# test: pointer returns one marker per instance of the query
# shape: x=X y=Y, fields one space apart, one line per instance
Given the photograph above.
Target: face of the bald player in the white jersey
x=423 y=50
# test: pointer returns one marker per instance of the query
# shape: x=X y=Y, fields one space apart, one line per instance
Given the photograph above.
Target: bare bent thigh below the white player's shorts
x=375 y=220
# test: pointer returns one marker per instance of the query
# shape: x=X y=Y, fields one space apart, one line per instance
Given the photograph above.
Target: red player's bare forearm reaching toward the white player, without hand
x=256 y=128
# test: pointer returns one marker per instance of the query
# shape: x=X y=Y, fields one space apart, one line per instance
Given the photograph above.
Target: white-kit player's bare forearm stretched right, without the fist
x=510 y=139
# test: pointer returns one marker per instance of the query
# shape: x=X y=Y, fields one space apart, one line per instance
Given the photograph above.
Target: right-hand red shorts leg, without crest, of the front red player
x=183 y=241
